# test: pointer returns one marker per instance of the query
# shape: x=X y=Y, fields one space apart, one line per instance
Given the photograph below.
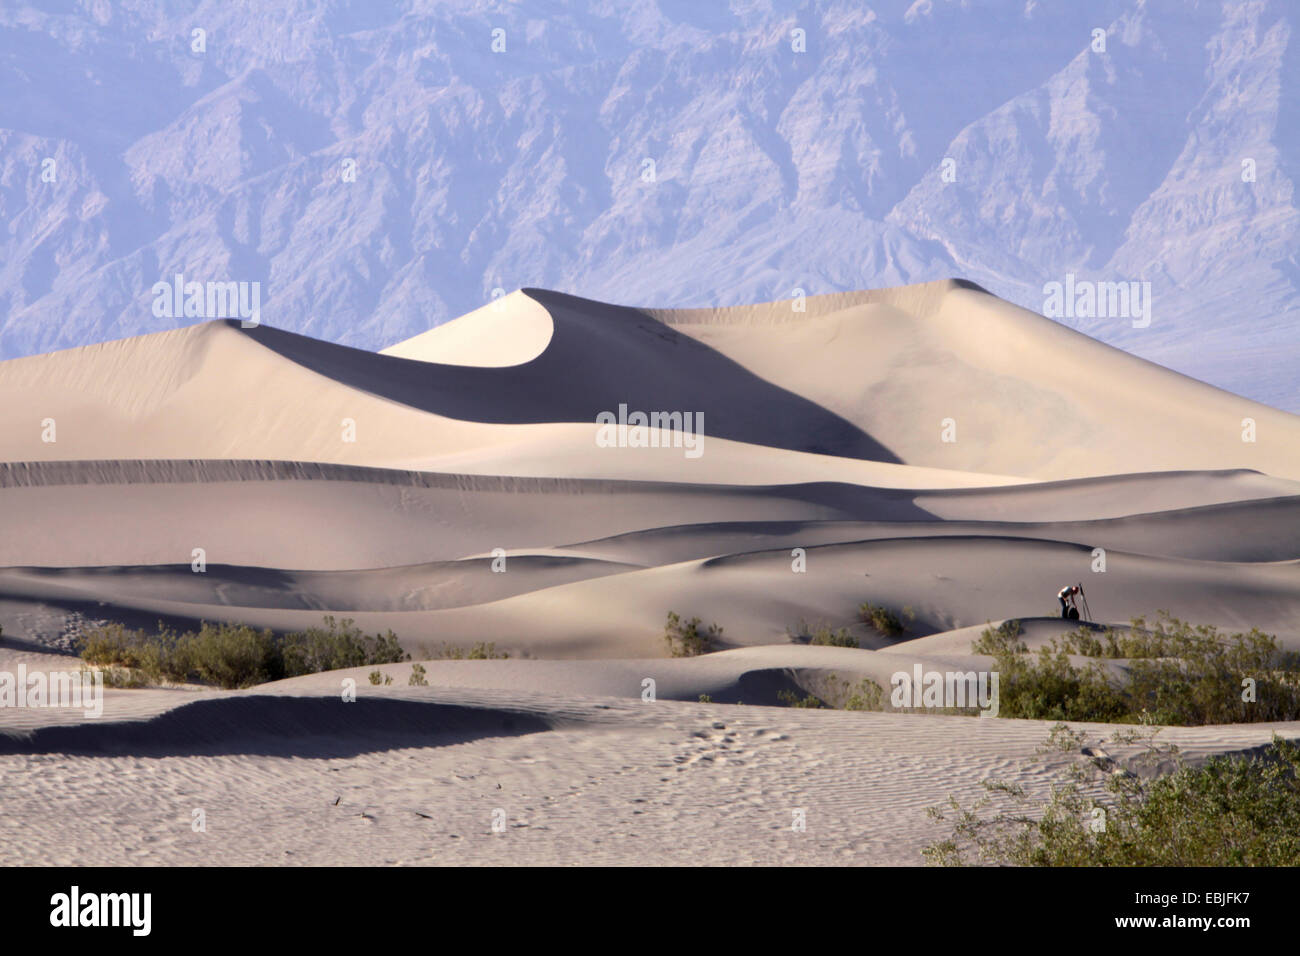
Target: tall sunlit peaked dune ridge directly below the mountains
x=861 y=377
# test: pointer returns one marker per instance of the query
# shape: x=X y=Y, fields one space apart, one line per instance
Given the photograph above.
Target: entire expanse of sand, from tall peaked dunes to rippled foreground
x=822 y=431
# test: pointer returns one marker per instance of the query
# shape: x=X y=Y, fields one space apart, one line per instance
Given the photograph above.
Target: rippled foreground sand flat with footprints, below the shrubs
x=419 y=776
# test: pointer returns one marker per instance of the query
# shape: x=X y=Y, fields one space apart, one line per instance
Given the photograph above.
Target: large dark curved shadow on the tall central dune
x=599 y=357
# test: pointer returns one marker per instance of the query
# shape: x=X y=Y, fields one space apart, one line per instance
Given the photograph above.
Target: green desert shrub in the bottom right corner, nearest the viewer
x=1232 y=811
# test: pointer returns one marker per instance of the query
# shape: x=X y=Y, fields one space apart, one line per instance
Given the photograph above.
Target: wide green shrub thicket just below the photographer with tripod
x=1176 y=674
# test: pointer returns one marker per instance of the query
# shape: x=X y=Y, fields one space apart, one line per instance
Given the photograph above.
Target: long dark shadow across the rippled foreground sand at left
x=257 y=725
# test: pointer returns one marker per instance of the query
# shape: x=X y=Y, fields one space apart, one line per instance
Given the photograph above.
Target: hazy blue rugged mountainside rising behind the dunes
x=907 y=142
